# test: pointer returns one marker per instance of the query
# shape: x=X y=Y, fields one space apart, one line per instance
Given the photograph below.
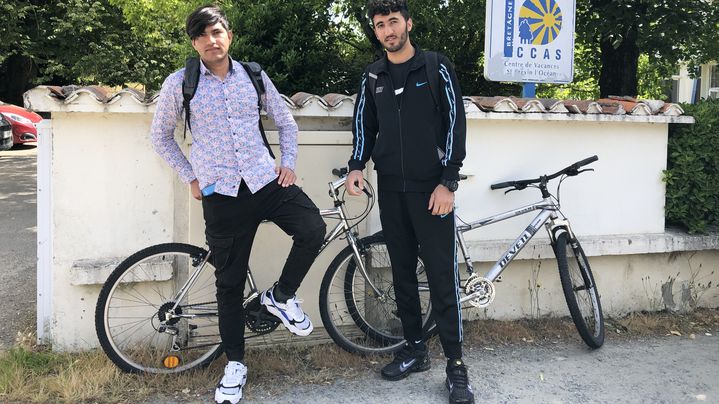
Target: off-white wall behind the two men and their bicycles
x=111 y=195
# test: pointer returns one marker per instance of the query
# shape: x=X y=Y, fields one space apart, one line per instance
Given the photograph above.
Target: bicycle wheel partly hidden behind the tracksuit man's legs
x=356 y=317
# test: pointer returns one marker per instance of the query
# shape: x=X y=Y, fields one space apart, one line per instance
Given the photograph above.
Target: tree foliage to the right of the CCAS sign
x=665 y=31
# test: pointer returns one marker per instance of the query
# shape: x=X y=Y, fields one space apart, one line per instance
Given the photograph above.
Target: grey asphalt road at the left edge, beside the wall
x=18 y=231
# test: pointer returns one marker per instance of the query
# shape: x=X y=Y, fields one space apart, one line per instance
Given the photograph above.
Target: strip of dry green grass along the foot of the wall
x=36 y=374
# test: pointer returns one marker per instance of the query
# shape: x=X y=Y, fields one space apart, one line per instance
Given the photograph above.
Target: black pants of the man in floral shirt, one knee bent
x=230 y=226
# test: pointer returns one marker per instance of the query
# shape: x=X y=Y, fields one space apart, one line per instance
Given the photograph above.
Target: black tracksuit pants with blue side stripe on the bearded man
x=410 y=230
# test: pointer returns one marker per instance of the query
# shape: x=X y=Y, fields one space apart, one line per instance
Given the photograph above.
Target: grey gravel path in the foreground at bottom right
x=655 y=370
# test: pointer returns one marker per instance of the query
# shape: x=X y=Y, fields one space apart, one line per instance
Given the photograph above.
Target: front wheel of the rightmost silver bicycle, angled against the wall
x=580 y=290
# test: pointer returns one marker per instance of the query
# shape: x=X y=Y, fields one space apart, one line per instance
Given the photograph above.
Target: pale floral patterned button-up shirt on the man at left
x=227 y=146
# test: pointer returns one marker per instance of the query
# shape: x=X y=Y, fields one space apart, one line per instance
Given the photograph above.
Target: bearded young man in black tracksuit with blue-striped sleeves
x=417 y=142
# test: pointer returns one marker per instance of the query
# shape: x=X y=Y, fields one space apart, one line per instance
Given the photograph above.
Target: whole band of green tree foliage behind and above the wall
x=623 y=47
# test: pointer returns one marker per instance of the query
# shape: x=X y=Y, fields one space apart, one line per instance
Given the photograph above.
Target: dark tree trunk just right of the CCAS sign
x=619 y=65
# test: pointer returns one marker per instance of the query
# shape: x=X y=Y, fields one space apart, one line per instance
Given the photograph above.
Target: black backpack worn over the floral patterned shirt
x=192 y=78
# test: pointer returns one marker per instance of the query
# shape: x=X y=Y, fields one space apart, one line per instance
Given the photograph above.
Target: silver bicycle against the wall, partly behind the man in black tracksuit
x=350 y=300
